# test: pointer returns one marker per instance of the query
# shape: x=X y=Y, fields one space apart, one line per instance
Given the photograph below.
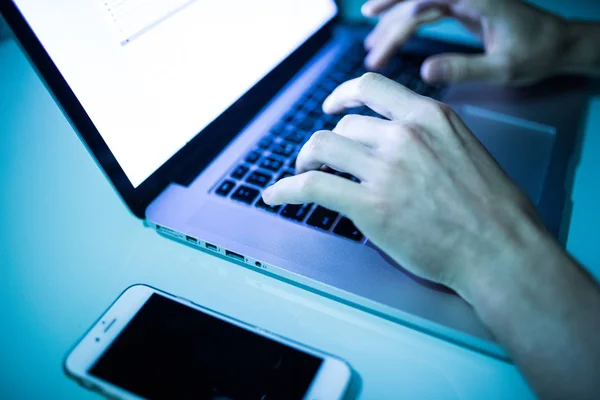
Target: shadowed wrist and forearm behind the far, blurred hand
x=582 y=55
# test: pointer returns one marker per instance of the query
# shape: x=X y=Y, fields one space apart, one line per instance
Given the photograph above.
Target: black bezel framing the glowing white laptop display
x=190 y=160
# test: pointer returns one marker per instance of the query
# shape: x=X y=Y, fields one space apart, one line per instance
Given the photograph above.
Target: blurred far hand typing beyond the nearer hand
x=523 y=44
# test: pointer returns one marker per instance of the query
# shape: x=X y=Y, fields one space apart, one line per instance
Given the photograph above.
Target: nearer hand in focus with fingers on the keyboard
x=430 y=195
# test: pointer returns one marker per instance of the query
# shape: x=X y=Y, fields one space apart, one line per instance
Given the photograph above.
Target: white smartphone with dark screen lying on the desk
x=153 y=345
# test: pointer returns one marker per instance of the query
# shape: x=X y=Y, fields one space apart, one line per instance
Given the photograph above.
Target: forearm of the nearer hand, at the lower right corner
x=545 y=310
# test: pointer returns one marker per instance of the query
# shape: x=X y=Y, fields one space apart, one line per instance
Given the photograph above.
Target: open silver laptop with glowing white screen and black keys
x=191 y=108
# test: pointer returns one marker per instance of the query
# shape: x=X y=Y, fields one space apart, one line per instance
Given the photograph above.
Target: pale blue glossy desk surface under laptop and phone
x=68 y=247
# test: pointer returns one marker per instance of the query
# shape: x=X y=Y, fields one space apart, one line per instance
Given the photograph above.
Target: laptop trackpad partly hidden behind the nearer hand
x=523 y=148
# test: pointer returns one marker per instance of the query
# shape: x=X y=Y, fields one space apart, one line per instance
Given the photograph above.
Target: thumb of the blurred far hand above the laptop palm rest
x=447 y=68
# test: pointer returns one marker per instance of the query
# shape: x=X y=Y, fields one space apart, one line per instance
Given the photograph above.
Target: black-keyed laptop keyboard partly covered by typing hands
x=274 y=156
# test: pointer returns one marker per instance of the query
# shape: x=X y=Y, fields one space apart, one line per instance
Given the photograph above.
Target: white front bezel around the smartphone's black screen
x=331 y=381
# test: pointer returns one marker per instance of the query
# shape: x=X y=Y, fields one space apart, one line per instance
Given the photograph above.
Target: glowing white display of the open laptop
x=151 y=74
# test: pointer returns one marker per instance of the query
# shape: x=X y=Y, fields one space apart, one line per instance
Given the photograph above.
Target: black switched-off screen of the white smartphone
x=169 y=350
